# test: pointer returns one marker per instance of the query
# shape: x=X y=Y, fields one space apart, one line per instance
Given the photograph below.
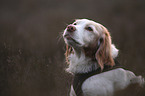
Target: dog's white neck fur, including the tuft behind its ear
x=83 y=62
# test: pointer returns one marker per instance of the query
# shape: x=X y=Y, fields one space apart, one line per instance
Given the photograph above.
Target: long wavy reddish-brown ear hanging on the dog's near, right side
x=103 y=54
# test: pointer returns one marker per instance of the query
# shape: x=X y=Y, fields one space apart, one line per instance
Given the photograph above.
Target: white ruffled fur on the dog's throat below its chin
x=80 y=63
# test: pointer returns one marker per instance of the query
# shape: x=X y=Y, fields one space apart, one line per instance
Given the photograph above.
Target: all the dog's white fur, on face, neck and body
x=103 y=84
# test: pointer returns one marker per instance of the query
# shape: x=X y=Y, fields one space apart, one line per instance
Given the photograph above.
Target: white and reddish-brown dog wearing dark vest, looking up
x=89 y=51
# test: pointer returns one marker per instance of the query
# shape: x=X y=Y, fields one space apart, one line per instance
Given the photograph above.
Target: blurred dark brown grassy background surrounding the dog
x=32 y=49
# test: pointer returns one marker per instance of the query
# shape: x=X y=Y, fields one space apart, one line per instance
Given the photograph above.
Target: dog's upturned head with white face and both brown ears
x=91 y=38
